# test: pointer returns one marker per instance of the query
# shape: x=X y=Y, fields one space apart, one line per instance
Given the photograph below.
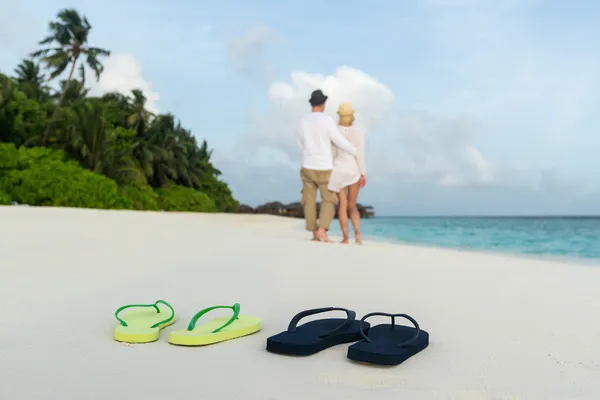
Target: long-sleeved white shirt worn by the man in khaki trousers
x=316 y=131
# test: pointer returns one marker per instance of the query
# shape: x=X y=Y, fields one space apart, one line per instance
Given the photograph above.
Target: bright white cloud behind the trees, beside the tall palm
x=123 y=73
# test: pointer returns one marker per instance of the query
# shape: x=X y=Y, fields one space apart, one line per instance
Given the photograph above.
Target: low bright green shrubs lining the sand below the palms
x=44 y=177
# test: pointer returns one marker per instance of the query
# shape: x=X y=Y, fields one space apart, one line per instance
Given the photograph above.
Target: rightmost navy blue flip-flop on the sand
x=389 y=344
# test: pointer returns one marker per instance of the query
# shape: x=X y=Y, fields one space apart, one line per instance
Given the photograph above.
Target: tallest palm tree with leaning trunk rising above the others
x=70 y=33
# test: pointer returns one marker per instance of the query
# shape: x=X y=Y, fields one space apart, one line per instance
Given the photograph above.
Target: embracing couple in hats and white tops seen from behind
x=333 y=162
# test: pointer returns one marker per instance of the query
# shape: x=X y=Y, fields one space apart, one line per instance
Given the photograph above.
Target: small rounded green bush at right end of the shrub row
x=179 y=198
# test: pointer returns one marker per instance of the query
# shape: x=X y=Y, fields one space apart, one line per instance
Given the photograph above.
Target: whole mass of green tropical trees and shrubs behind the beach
x=61 y=147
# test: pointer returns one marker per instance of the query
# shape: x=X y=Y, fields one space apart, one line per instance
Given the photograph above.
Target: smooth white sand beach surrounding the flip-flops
x=500 y=327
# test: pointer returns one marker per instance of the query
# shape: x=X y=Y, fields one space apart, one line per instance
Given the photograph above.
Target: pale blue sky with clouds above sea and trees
x=470 y=106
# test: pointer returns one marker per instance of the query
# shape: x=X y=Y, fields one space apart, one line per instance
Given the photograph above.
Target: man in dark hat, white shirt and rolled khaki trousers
x=316 y=132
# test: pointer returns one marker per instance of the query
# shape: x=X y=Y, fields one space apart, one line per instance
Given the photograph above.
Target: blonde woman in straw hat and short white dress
x=349 y=173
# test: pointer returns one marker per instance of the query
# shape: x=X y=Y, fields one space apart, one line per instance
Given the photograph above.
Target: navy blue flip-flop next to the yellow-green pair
x=315 y=336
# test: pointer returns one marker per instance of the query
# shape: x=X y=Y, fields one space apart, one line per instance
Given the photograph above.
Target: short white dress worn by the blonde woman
x=347 y=169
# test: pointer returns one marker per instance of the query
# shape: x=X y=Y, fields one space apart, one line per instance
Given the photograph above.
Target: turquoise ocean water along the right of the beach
x=563 y=237
